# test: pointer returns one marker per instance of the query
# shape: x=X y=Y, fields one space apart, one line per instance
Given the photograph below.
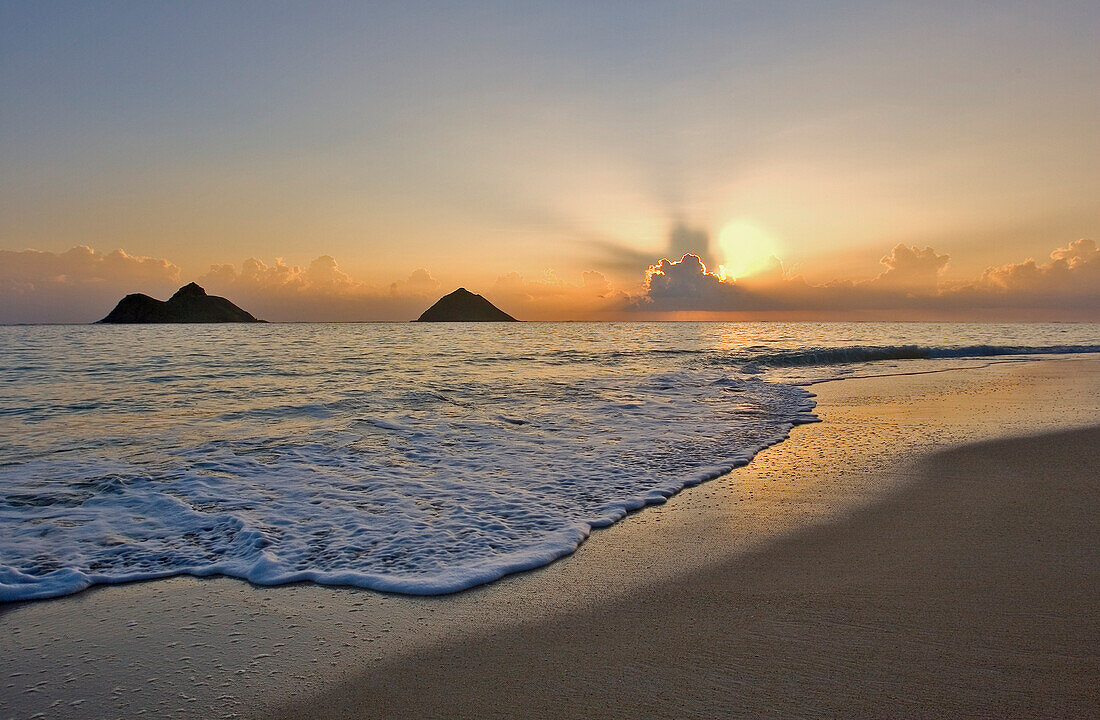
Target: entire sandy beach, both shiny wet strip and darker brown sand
x=929 y=550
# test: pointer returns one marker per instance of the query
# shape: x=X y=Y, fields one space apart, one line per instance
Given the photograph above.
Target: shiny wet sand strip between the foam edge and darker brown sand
x=222 y=648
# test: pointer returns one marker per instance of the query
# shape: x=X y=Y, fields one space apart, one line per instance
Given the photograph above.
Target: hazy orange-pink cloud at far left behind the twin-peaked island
x=75 y=285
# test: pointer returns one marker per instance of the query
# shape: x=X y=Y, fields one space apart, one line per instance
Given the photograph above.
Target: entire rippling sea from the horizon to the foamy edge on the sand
x=419 y=459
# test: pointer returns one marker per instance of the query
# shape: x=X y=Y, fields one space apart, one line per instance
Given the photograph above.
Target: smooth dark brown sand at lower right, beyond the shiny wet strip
x=971 y=593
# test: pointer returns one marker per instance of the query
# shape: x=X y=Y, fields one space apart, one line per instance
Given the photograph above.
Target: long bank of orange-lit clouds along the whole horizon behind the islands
x=82 y=285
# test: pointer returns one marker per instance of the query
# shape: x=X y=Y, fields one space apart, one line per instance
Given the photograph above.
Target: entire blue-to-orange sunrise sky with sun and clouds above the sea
x=582 y=161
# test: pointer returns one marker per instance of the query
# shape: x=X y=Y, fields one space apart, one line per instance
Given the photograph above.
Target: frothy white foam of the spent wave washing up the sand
x=411 y=502
